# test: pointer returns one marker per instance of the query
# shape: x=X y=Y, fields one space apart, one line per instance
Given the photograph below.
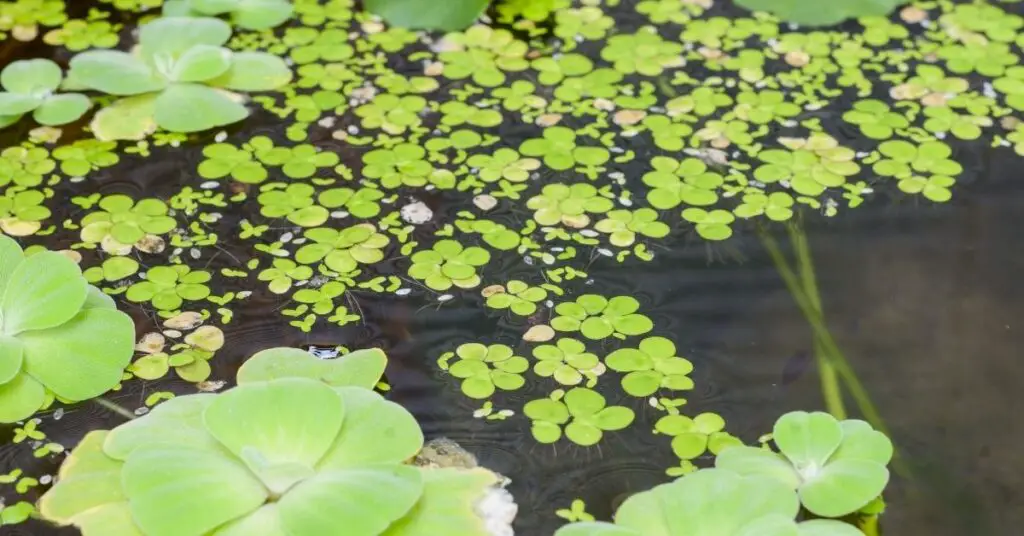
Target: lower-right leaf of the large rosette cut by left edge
x=83 y=358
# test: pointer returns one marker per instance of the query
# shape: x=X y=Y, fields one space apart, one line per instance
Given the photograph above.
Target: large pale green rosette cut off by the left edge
x=59 y=337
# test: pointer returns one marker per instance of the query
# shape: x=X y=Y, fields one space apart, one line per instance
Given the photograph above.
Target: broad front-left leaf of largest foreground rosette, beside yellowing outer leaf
x=179 y=490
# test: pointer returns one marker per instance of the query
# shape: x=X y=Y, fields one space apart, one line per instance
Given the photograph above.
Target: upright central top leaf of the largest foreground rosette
x=288 y=422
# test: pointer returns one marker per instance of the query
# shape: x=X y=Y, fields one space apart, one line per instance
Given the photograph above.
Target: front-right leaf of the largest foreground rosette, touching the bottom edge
x=352 y=502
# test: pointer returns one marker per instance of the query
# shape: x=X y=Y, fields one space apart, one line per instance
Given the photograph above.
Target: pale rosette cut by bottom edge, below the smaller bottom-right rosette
x=708 y=503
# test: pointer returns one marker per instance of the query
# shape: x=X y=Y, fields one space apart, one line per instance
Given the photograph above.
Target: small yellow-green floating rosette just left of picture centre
x=448 y=264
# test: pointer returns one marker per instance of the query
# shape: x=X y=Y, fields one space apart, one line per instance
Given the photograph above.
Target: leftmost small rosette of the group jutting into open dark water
x=485 y=368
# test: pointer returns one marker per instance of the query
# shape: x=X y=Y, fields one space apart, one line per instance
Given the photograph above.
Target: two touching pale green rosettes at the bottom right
x=831 y=469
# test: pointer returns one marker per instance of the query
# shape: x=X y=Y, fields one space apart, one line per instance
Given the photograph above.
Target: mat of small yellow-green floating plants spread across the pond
x=422 y=166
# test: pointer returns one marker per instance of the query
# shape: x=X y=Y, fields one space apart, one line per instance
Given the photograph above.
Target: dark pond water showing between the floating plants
x=926 y=301
